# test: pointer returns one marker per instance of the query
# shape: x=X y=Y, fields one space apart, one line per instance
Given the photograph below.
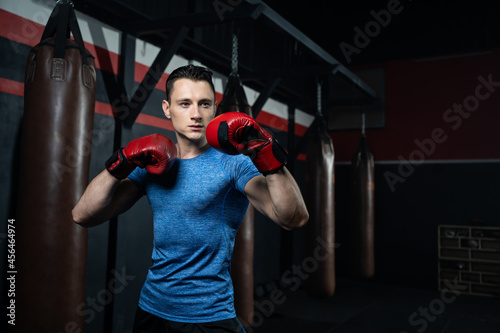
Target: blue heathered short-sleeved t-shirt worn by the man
x=198 y=205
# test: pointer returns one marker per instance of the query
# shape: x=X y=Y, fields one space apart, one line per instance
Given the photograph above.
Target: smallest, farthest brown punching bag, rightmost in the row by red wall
x=362 y=212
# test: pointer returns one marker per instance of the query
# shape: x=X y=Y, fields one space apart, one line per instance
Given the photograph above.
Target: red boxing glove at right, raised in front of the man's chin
x=237 y=133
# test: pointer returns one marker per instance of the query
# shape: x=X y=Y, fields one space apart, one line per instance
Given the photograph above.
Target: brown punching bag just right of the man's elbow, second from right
x=320 y=199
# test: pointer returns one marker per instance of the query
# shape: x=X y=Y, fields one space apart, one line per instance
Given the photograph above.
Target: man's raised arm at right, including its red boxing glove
x=274 y=194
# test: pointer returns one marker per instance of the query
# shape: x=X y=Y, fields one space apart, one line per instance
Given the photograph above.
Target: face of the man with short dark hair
x=191 y=108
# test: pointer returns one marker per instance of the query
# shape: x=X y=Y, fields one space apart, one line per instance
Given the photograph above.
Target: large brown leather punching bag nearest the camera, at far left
x=56 y=136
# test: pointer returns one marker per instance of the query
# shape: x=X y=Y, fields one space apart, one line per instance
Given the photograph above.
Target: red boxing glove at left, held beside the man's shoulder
x=155 y=152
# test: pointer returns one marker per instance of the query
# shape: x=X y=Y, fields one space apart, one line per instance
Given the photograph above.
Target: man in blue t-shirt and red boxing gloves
x=199 y=196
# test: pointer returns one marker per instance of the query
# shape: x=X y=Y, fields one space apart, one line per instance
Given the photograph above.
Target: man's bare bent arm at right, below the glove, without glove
x=278 y=196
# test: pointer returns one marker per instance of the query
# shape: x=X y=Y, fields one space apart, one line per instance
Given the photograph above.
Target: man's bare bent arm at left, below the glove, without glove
x=104 y=198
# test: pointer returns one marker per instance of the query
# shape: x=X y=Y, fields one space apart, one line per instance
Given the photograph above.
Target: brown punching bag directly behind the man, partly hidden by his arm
x=234 y=99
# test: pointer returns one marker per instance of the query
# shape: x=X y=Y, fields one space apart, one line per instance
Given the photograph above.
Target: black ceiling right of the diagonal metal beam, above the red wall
x=418 y=29
